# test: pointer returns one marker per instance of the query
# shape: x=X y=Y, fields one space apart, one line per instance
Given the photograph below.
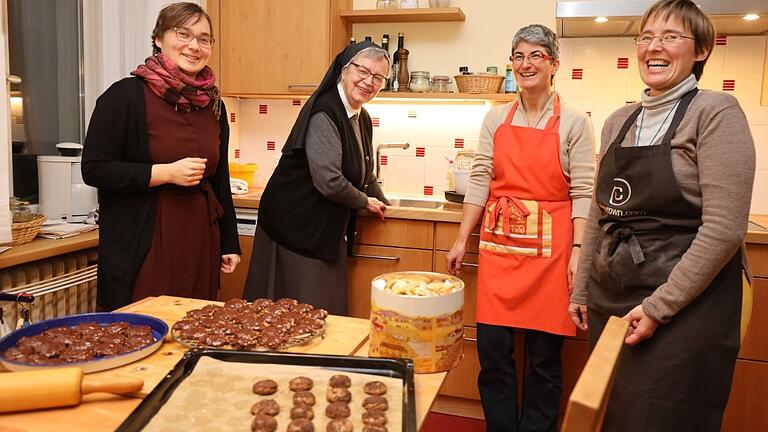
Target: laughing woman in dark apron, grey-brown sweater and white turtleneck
x=664 y=235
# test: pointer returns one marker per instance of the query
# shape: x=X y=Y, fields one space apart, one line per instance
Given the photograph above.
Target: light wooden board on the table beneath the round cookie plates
x=344 y=336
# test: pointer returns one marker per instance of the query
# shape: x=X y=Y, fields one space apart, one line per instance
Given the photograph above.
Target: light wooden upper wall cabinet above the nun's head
x=269 y=47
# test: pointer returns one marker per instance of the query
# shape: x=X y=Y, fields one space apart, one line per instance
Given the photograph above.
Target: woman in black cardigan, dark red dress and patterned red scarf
x=156 y=149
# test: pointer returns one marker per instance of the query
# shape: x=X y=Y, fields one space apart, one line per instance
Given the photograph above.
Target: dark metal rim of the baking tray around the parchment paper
x=394 y=368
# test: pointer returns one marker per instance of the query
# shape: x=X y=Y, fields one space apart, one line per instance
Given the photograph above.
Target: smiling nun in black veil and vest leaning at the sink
x=325 y=175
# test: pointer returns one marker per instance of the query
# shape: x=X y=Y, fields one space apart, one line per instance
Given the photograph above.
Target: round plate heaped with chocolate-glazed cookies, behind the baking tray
x=260 y=325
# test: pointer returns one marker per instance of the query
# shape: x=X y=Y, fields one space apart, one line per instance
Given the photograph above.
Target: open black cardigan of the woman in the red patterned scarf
x=116 y=160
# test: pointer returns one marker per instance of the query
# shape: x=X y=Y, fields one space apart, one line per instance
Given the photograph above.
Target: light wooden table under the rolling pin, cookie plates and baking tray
x=103 y=412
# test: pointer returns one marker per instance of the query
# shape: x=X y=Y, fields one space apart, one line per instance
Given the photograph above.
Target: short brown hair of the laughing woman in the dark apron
x=694 y=20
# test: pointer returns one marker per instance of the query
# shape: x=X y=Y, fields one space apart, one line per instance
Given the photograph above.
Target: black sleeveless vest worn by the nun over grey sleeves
x=294 y=213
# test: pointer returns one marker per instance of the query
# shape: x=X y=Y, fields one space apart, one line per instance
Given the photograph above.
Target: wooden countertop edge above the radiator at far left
x=41 y=248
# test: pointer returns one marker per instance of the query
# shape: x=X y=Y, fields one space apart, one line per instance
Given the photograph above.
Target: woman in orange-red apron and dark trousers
x=531 y=177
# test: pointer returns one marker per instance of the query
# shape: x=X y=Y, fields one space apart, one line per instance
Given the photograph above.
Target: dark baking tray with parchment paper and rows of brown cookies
x=267 y=392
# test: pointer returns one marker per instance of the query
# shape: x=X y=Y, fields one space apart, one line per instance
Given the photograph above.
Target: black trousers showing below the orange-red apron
x=497 y=381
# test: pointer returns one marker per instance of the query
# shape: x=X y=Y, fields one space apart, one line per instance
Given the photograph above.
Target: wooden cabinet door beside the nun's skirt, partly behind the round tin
x=372 y=261
